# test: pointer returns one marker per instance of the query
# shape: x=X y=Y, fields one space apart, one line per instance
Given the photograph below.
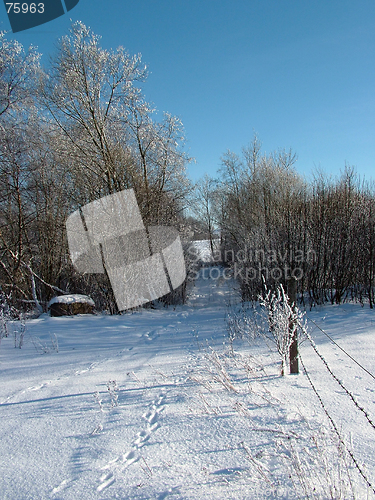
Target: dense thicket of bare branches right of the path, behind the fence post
x=275 y=225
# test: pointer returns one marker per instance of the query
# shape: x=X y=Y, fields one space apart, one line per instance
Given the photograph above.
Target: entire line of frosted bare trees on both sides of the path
x=80 y=128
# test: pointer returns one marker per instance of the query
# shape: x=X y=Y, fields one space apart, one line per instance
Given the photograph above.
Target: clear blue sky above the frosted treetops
x=299 y=73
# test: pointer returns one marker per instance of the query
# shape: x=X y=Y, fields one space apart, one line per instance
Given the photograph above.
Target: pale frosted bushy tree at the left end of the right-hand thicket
x=260 y=214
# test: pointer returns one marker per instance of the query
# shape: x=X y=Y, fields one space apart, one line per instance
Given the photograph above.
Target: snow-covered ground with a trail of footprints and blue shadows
x=155 y=405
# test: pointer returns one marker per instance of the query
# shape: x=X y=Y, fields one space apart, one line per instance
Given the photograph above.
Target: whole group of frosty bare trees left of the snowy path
x=71 y=132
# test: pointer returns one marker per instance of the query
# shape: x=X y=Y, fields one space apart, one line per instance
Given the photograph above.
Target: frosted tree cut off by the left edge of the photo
x=19 y=70
